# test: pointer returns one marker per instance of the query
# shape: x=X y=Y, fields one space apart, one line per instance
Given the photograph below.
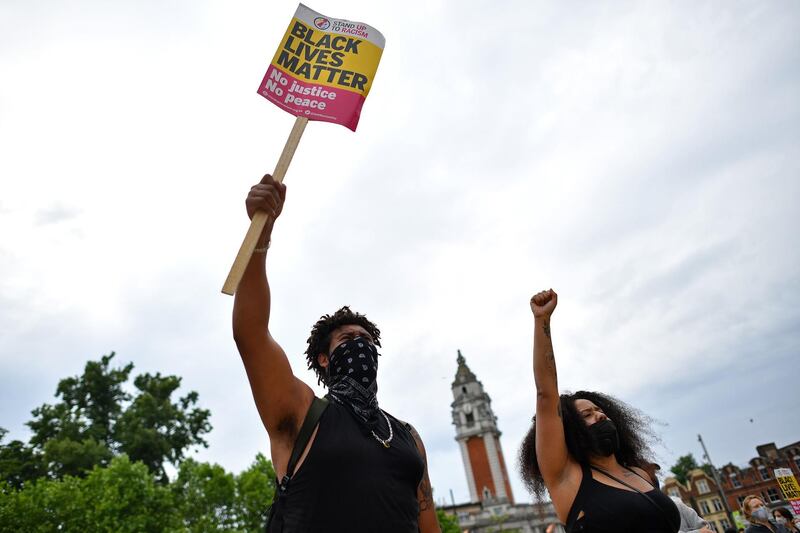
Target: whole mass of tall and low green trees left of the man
x=96 y=462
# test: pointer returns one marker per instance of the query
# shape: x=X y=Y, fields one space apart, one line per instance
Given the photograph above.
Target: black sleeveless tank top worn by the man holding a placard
x=349 y=482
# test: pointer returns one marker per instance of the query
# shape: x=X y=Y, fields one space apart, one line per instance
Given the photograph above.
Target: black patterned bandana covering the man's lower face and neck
x=352 y=379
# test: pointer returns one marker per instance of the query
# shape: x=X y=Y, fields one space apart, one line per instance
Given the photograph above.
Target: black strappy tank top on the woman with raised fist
x=608 y=509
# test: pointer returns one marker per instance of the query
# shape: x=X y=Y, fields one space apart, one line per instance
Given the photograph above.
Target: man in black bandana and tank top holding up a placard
x=362 y=470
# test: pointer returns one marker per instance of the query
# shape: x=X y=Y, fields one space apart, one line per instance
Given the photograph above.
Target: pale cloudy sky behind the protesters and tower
x=641 y=158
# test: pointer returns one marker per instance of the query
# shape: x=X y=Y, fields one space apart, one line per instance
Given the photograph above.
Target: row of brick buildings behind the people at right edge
x=758 y=478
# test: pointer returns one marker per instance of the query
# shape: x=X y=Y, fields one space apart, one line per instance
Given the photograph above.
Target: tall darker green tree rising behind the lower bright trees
x=96 y=420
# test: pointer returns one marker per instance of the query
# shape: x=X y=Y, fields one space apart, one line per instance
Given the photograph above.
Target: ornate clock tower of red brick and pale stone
x=479 y=439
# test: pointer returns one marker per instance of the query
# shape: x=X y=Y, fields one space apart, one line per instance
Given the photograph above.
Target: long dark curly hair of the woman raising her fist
x=633 y=429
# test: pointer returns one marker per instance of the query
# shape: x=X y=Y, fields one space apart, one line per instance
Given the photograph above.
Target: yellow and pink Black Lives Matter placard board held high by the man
x=324 y=68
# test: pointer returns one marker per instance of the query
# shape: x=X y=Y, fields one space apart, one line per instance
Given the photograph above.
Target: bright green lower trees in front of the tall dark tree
x=126 y=497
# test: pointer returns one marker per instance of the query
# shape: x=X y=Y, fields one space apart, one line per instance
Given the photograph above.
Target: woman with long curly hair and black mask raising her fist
x=589 y=451
